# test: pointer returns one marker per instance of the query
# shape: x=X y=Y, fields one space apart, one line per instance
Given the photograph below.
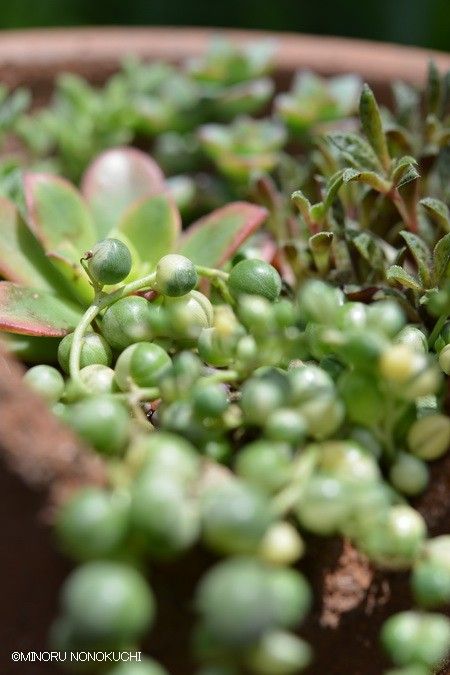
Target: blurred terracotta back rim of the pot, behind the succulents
x=35 y=56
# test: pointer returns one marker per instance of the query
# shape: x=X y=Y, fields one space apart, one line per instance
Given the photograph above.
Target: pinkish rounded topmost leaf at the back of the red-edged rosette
x=117 y=179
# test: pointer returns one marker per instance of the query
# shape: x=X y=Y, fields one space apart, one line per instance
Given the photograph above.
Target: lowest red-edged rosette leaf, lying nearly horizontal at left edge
x=35 y=312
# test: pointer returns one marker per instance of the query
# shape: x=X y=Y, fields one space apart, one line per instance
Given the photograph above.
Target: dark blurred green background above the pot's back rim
x=420 y=22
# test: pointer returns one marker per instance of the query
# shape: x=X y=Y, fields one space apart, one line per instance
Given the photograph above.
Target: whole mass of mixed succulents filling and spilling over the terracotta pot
x=238 y=301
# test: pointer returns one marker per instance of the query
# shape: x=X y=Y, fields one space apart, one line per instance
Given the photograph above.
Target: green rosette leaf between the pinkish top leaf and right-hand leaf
x=152 y=225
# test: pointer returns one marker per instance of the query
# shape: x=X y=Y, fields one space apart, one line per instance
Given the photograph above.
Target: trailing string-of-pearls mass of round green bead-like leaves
x=274 y=415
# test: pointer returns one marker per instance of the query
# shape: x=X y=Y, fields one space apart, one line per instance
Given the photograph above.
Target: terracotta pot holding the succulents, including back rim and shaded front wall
x=43 y=460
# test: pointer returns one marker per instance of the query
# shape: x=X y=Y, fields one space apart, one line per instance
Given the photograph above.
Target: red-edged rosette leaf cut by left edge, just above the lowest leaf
x=21 y=256
